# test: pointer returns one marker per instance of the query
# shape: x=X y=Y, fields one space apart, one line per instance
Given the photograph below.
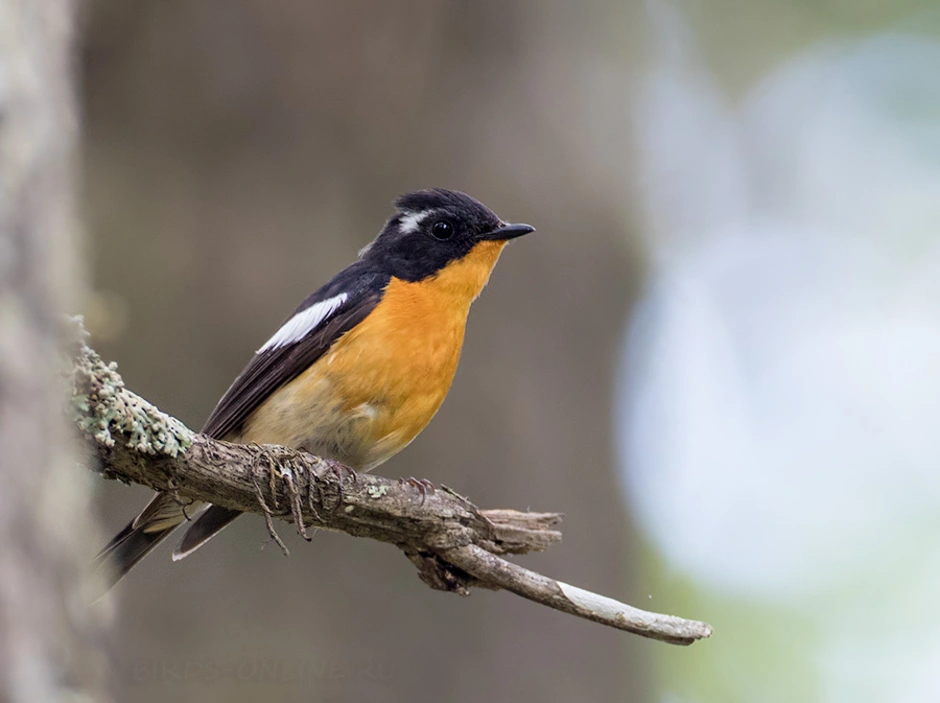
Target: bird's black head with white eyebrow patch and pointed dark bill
x=433 y=228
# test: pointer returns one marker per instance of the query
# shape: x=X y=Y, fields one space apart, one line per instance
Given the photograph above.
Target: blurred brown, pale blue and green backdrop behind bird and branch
x=717 y=355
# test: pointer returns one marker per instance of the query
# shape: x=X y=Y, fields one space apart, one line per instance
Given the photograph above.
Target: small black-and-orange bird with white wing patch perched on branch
x=361 y=366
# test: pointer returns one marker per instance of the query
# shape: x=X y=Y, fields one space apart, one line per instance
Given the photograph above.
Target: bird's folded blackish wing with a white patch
x=277 y=364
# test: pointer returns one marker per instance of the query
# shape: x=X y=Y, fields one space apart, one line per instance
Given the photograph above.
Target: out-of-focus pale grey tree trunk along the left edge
x=46 y=630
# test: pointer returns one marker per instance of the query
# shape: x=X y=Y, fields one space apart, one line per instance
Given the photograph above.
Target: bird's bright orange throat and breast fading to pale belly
x=381 y=383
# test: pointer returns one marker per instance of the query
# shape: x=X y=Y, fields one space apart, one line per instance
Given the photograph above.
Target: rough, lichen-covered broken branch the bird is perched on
x=454 y=544
